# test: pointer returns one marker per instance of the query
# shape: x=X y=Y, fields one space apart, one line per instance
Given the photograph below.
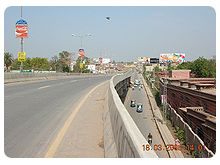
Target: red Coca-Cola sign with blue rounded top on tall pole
x=21 y=30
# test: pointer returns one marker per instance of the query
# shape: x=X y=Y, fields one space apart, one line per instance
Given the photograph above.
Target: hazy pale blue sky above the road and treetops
x=131 y=32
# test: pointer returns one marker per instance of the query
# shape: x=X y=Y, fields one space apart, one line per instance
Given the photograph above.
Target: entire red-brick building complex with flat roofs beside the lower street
x=185 y=96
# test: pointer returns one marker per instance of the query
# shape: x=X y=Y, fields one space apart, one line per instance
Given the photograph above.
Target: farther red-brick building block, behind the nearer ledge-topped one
x=193 y=92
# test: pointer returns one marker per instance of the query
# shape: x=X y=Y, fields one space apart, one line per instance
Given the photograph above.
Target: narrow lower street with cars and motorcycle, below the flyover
x=144 y=121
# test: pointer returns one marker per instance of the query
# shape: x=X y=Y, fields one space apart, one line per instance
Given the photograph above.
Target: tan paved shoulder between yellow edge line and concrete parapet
x=84 y=137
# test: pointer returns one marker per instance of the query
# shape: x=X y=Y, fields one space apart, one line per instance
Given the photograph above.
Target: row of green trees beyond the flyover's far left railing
x=58 y=63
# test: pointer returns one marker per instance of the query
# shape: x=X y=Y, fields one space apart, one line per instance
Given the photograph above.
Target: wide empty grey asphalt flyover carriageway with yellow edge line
x=34 y=112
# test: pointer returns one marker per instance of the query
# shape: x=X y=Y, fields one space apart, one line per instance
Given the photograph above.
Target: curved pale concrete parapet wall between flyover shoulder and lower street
x=127 y=137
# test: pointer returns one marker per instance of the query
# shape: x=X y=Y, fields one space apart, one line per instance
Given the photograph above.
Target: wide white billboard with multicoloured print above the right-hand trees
x=172 y=58
